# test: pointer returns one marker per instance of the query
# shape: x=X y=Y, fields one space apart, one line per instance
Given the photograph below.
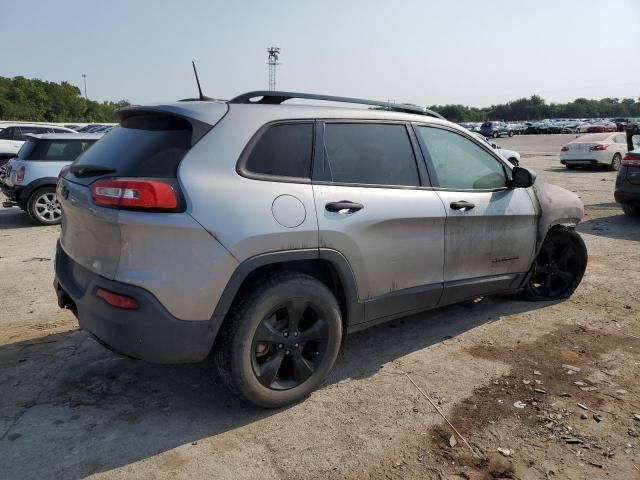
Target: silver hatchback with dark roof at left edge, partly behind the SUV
x=29 y=180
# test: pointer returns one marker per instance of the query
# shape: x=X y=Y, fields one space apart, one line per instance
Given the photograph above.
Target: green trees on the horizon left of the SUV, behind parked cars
x=37 y=100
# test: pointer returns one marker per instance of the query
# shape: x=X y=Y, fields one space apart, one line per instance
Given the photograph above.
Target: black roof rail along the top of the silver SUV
x=270 y=97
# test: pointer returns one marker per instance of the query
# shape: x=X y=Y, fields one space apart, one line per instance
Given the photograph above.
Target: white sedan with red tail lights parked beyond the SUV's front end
x=595 y=149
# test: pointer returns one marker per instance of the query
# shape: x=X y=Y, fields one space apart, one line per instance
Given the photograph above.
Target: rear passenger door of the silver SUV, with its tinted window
x=375 y=207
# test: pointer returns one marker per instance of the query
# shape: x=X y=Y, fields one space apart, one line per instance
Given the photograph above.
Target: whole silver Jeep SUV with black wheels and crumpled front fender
x=264 y=232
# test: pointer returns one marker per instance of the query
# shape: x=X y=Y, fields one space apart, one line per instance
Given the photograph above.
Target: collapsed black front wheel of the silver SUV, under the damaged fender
x=559 y=267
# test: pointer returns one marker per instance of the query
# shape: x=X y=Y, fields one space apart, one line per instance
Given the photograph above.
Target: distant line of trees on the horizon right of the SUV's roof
x=535 y=108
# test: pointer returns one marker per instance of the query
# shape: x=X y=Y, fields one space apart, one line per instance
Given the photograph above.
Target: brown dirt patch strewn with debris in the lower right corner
x=565 y=410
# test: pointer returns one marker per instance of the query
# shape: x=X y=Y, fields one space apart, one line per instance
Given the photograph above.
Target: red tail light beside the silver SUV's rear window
x=129 y=193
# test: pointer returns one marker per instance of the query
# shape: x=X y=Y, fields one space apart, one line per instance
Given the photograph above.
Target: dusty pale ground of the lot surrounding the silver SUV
x=70 y=408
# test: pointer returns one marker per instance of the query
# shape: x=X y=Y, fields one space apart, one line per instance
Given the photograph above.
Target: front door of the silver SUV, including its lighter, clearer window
x=490 y=230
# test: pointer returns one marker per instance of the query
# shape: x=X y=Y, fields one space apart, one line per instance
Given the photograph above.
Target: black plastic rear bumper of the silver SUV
x=148 y=333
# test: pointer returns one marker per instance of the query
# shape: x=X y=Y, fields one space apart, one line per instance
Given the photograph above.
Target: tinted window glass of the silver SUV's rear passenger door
x=369 y=153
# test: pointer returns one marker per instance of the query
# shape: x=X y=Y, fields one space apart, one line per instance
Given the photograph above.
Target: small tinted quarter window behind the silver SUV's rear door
x=283 y=151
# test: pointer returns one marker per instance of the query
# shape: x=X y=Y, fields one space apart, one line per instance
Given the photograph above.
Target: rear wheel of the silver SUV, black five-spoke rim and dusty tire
x=279 y=342
